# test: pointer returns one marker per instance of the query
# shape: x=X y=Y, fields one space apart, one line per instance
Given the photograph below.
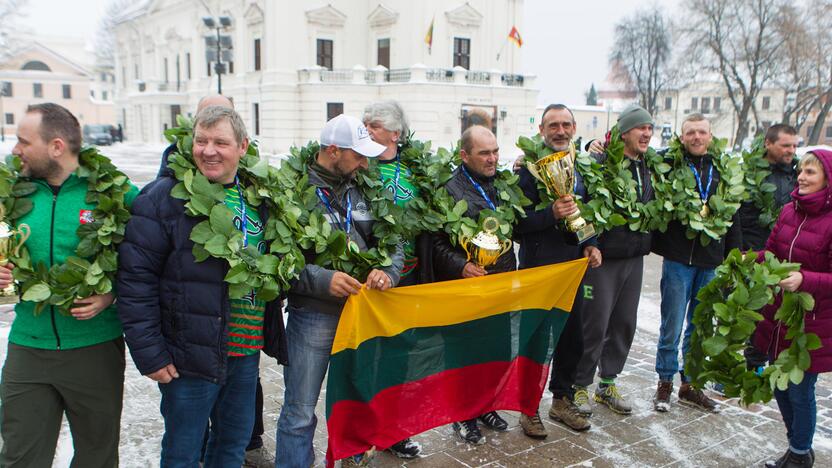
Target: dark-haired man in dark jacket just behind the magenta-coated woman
x=780 y=143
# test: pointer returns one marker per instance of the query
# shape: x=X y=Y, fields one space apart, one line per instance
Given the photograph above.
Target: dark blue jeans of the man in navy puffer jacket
x=187 y=404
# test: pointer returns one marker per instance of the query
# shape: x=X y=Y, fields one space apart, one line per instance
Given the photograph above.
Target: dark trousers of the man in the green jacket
x=39 y=386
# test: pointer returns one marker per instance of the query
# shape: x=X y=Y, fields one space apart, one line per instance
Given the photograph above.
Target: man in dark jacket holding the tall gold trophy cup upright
x=557 y=234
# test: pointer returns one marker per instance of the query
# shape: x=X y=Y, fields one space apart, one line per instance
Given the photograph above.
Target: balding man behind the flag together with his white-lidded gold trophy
x=485 y=253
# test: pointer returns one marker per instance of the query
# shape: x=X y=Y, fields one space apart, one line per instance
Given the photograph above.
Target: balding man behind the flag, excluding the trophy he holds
x=473 y=181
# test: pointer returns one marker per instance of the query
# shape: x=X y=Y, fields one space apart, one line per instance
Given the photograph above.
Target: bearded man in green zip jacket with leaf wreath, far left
x=65 y=354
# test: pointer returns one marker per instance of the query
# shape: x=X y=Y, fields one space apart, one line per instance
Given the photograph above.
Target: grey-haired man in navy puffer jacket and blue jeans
x=182 y=329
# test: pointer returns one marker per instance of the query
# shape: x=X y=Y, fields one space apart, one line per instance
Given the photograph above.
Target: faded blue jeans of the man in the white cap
x=309 y=336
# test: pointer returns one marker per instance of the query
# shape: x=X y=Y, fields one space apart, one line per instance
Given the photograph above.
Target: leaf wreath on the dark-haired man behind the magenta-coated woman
x=758 y=191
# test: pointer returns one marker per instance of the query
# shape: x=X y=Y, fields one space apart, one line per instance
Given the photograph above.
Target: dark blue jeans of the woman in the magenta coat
x=797 y=405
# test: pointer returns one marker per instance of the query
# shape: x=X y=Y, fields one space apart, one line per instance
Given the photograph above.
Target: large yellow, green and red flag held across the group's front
x=410 y=359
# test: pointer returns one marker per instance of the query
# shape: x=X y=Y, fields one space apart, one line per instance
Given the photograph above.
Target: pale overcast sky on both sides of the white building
x=565 y=43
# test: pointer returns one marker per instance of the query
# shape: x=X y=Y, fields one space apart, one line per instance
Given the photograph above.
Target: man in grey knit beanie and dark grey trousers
x=611 y=291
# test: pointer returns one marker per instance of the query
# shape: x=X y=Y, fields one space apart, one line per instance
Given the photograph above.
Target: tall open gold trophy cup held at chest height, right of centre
x=557 y=172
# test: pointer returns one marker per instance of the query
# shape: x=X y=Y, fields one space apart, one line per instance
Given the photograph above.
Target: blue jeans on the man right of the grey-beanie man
x=679 y=285
